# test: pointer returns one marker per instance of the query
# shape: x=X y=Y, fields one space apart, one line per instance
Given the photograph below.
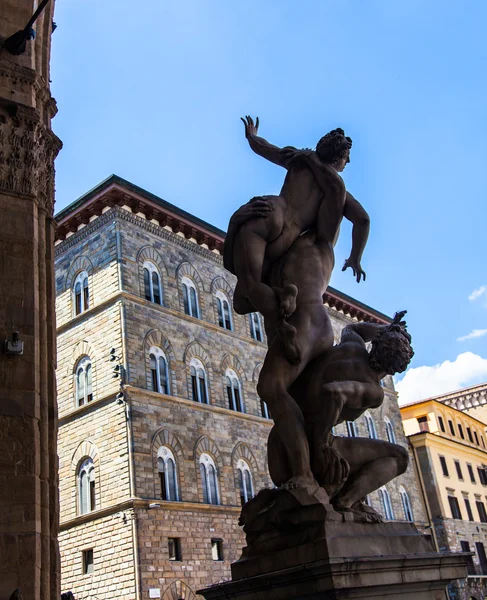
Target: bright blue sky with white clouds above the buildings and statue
x=153 y=92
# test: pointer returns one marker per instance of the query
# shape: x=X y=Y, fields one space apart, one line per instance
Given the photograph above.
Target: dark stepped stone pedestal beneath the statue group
x=349 y=560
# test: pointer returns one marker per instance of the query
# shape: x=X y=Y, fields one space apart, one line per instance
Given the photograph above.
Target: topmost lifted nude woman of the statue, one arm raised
x=313 y=195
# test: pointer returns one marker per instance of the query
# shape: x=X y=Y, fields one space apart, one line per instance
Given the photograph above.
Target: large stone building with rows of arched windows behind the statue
x=153 y=473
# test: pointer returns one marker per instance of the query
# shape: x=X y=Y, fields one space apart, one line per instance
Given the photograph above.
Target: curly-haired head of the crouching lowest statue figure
x=391 y=350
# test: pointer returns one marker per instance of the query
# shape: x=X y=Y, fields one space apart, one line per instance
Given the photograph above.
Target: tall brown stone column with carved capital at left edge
x=29 y=514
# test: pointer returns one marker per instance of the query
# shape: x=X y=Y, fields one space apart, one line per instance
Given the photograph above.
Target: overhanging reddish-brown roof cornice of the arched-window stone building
x=162 y=218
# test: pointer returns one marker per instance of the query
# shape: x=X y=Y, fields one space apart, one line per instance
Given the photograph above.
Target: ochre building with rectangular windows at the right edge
x=449 y=447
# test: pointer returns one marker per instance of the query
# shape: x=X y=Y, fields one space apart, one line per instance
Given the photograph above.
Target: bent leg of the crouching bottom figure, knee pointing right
x=373 y=463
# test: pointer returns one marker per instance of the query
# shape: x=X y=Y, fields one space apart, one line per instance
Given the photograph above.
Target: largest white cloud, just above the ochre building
x=423 y=382
